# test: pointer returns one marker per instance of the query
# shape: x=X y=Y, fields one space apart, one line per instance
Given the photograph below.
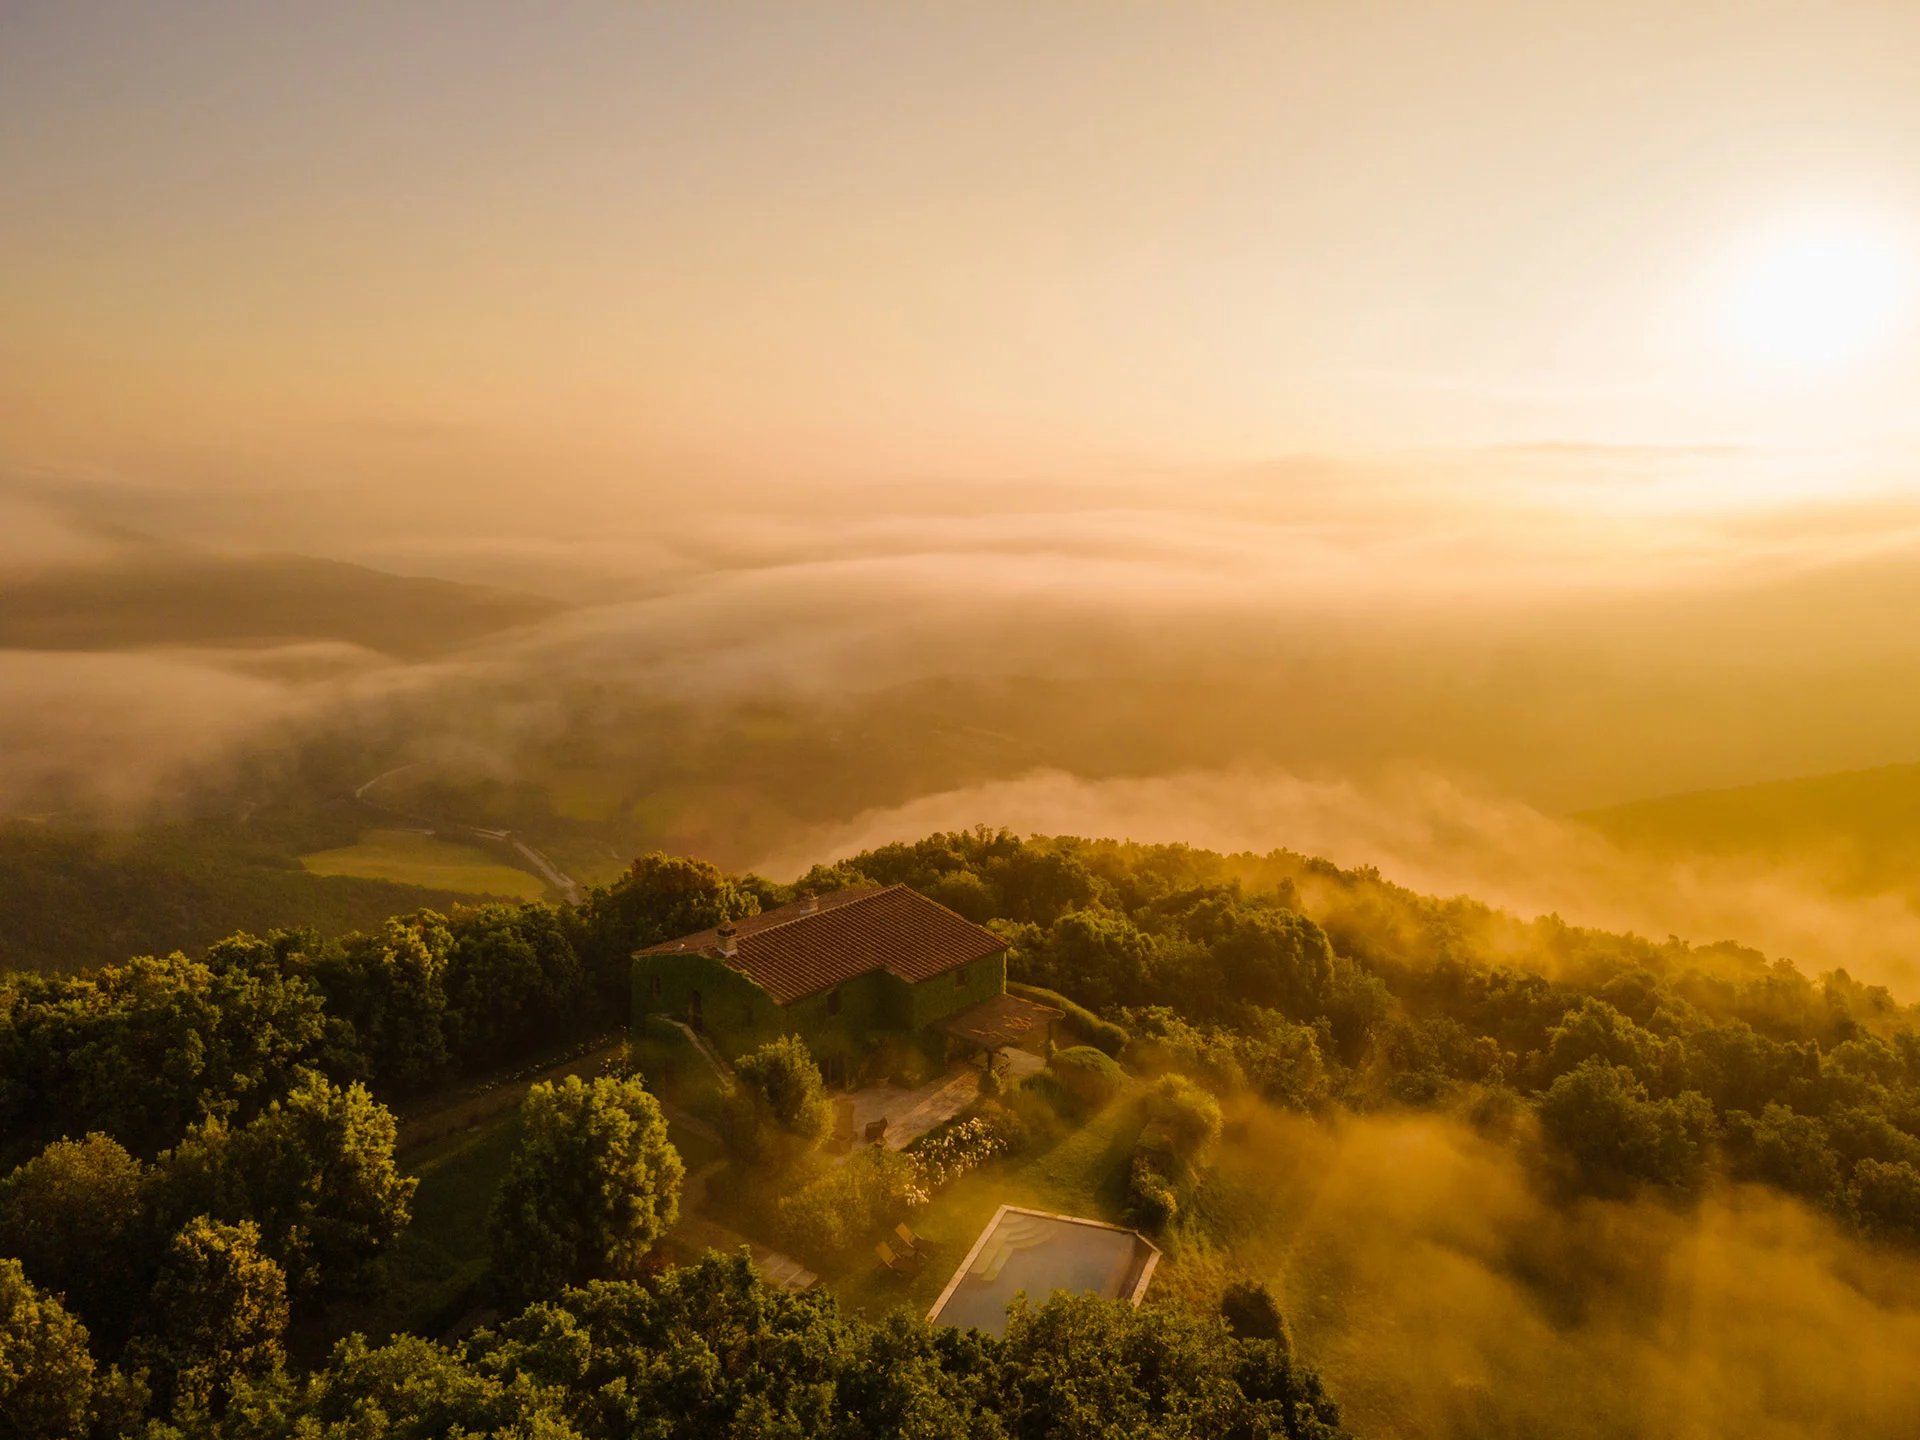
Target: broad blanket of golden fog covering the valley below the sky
x=1418 y=665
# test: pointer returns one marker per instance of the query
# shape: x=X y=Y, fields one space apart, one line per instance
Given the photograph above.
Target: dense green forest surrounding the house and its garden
x=199 y=1151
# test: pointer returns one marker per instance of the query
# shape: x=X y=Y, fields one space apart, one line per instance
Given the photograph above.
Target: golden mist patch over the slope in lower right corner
x=1447 y=1299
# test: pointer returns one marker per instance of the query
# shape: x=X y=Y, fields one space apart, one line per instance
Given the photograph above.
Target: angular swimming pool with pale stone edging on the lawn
x=1038 y=1253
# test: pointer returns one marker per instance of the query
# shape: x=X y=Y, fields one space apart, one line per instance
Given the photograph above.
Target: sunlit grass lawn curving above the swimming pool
x=1086 y=1174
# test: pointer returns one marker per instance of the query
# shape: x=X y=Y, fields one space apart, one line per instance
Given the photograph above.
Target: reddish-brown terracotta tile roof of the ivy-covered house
x=813 y=946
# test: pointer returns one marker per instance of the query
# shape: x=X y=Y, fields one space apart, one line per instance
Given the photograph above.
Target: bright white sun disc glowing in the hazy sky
x=1817 y=295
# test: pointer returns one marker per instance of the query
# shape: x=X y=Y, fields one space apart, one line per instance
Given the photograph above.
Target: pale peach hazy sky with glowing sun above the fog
x=448 y=243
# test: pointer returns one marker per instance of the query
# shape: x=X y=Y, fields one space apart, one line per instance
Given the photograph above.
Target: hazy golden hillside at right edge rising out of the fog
x=1861 y=827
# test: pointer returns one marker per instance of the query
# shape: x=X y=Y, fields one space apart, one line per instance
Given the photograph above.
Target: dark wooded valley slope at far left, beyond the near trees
x=82 y=900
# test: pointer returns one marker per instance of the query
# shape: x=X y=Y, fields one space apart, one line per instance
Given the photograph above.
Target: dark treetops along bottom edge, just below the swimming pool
x=711 y=1353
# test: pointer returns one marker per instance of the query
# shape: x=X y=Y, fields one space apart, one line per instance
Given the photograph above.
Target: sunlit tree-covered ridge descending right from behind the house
x=1644 y=1063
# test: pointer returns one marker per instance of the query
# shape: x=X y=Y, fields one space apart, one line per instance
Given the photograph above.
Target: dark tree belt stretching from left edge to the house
x=147 y=1049
